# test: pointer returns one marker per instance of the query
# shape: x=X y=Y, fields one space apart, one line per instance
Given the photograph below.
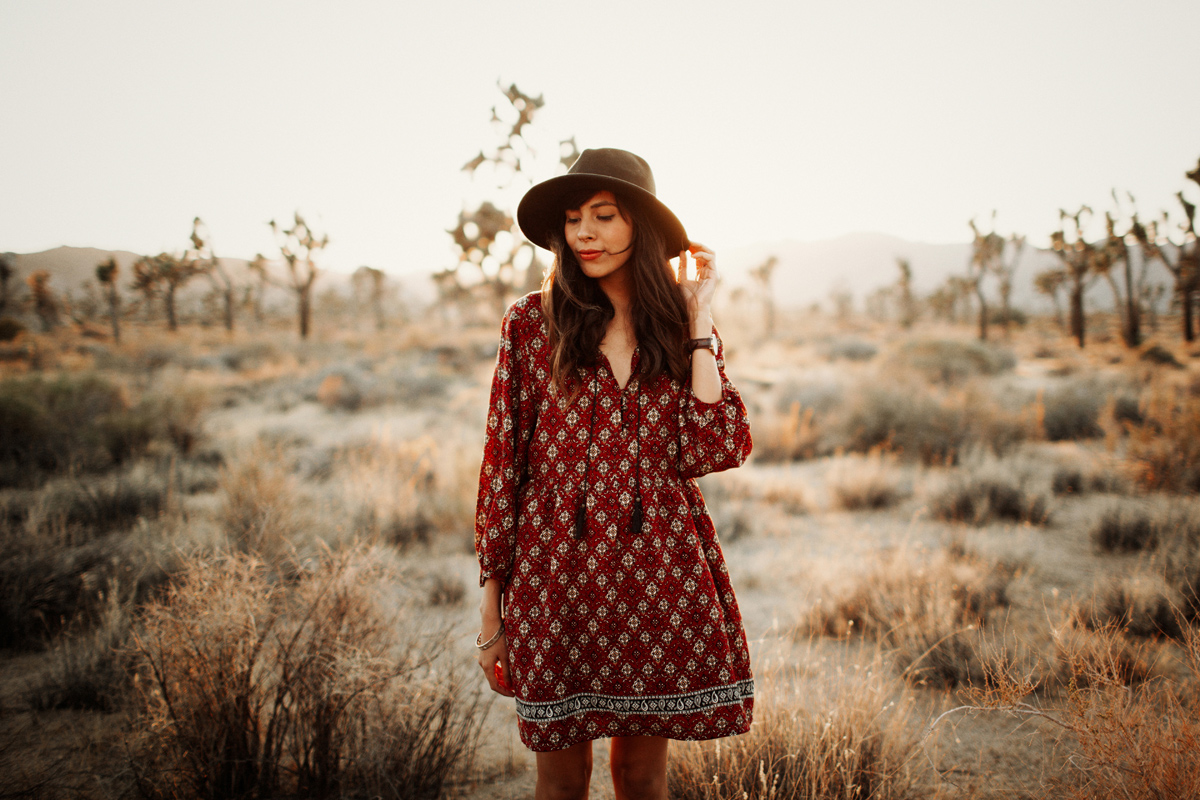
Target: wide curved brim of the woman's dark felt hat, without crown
x=542 y=209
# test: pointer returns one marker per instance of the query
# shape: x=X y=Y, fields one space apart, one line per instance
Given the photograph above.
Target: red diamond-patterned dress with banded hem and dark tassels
x=611 y=631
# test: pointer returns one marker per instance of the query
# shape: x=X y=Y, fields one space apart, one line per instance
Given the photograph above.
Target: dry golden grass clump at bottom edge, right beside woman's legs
x=835 y=738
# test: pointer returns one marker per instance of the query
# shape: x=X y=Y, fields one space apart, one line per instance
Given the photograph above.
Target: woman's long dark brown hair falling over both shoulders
x=578 y=311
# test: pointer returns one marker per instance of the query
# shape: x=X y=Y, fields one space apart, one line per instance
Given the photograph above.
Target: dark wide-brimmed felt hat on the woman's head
x=622 y=173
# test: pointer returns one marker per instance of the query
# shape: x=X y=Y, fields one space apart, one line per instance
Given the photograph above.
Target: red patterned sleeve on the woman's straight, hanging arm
x=511 y=420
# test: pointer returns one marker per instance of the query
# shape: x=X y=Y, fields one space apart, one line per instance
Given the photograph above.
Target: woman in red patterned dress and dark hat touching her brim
x=608 y=610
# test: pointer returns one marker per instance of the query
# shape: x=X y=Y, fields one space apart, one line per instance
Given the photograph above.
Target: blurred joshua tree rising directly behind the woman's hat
x=490 y=246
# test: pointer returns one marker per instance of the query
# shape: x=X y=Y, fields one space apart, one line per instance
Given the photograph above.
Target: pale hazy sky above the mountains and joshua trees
x=122 y=121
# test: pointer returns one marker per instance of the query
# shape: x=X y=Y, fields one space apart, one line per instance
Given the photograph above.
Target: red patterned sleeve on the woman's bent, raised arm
x=713 y=437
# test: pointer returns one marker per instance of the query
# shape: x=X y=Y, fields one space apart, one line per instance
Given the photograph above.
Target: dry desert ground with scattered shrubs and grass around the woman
x=242 y=564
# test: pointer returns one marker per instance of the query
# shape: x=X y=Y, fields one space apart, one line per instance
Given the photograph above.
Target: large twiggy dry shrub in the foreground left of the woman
x=251 y=688
